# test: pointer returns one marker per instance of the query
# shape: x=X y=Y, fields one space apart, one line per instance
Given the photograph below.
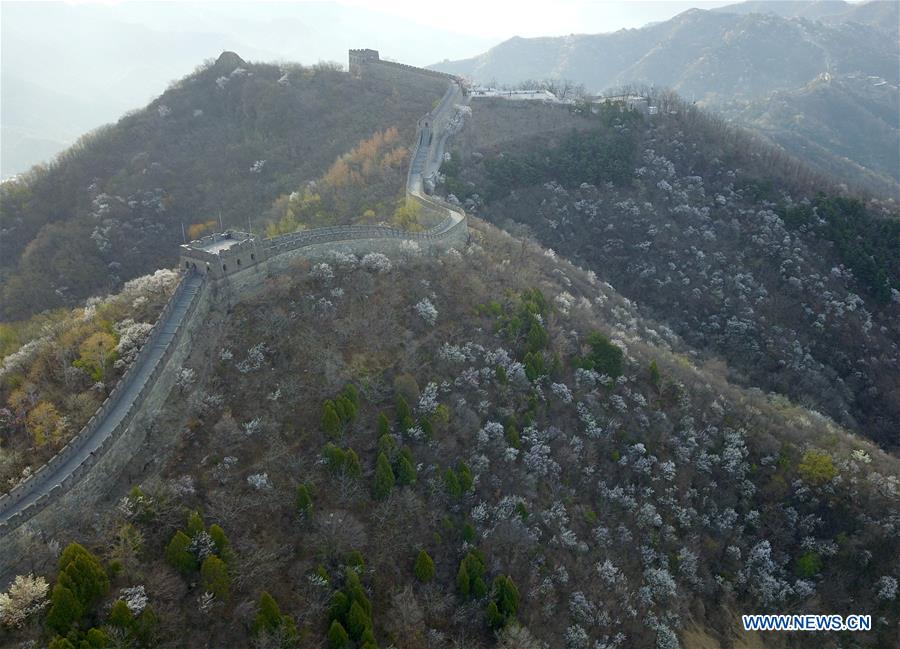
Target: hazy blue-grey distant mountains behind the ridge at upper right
x=720 y=59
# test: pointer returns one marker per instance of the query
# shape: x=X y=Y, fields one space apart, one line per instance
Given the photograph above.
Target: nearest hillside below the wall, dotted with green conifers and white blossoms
x=416 y=451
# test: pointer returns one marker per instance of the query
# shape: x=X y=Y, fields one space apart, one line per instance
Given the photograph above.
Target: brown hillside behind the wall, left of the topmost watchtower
x=113 y=206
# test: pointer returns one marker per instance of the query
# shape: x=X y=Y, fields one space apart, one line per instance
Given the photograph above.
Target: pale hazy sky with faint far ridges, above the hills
x=67 y=67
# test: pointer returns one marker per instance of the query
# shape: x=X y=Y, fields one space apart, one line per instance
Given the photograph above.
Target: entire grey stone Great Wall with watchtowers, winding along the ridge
x=216 y=269
